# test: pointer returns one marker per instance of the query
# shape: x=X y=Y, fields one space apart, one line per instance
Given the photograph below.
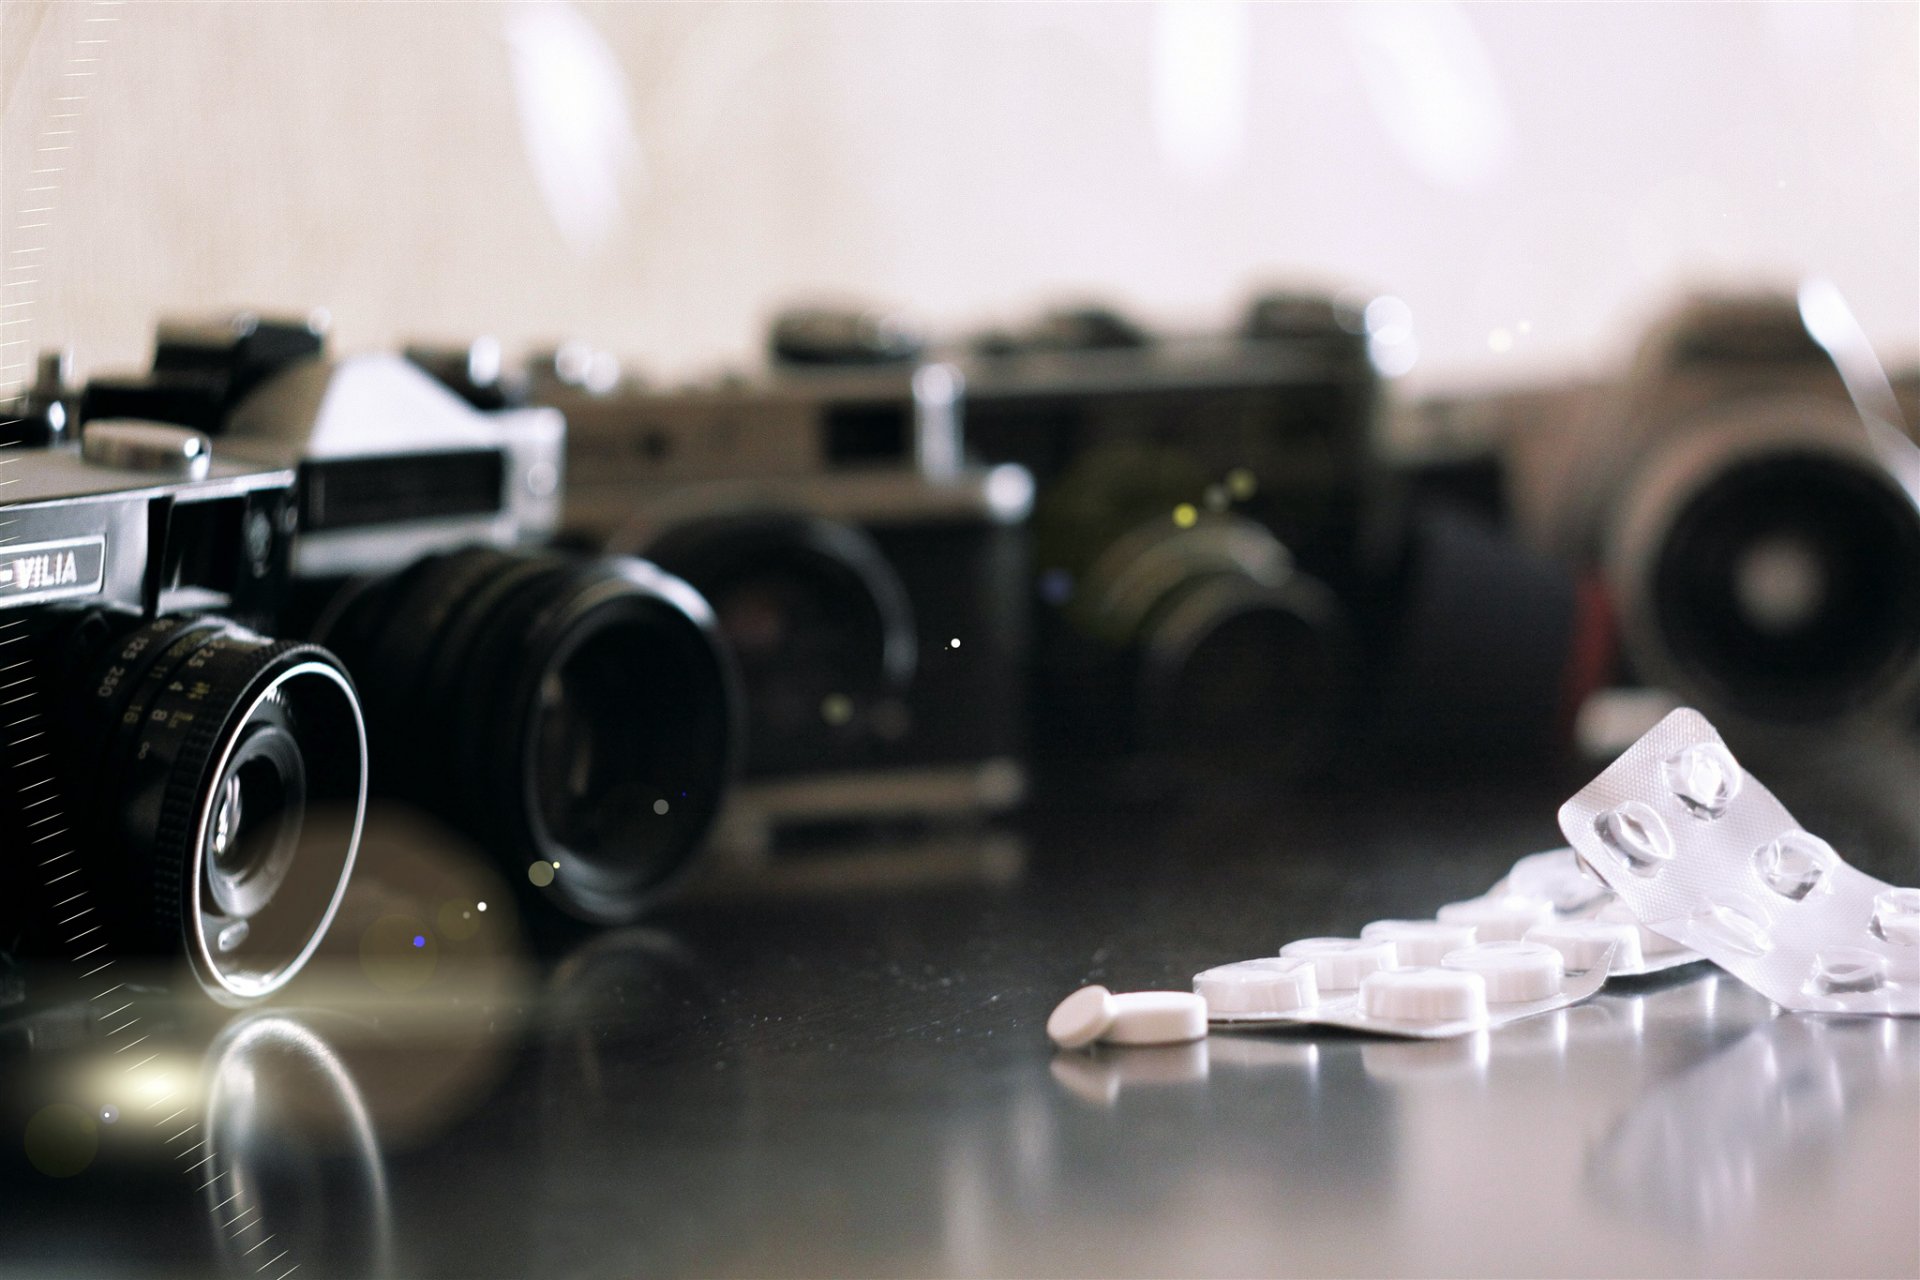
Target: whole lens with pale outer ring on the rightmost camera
x=1769 y=565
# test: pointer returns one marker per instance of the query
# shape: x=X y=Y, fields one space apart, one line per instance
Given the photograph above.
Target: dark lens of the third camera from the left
x=819 y=623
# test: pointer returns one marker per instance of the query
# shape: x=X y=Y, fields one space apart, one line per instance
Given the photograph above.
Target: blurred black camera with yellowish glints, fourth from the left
x=1203 y=529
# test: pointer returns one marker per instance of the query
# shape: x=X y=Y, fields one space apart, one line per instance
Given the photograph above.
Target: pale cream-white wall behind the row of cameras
x=658 y=178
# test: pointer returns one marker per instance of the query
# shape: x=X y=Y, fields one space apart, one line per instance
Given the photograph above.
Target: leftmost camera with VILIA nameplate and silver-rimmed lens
x=174 y=782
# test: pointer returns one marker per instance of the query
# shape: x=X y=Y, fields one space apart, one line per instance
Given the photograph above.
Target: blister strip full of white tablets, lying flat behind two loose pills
x=1360 y=984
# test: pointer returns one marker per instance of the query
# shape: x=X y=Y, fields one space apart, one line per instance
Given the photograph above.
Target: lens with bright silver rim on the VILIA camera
x=235 y=776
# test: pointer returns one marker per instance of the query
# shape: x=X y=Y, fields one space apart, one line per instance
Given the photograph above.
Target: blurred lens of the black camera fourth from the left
x=1239 y=653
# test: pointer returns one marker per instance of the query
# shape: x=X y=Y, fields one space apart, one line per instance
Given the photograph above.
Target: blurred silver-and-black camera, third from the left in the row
x=869 y=582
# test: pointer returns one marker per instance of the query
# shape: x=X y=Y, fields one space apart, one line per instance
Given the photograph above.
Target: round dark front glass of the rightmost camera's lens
x=1790 y=586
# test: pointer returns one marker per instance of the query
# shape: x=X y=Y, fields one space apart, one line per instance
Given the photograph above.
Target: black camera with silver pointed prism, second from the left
x=575 y=715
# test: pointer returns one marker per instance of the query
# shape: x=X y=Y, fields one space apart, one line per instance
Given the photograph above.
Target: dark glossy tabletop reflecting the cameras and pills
x=840 y=1070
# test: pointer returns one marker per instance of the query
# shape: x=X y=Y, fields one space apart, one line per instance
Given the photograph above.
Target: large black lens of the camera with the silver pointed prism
x=577 y=717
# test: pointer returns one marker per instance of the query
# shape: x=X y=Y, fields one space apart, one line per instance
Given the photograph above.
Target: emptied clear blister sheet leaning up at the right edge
x=1704 y=855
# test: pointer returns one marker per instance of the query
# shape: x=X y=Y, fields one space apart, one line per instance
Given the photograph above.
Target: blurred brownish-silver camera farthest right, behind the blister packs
x=1750 y=504
